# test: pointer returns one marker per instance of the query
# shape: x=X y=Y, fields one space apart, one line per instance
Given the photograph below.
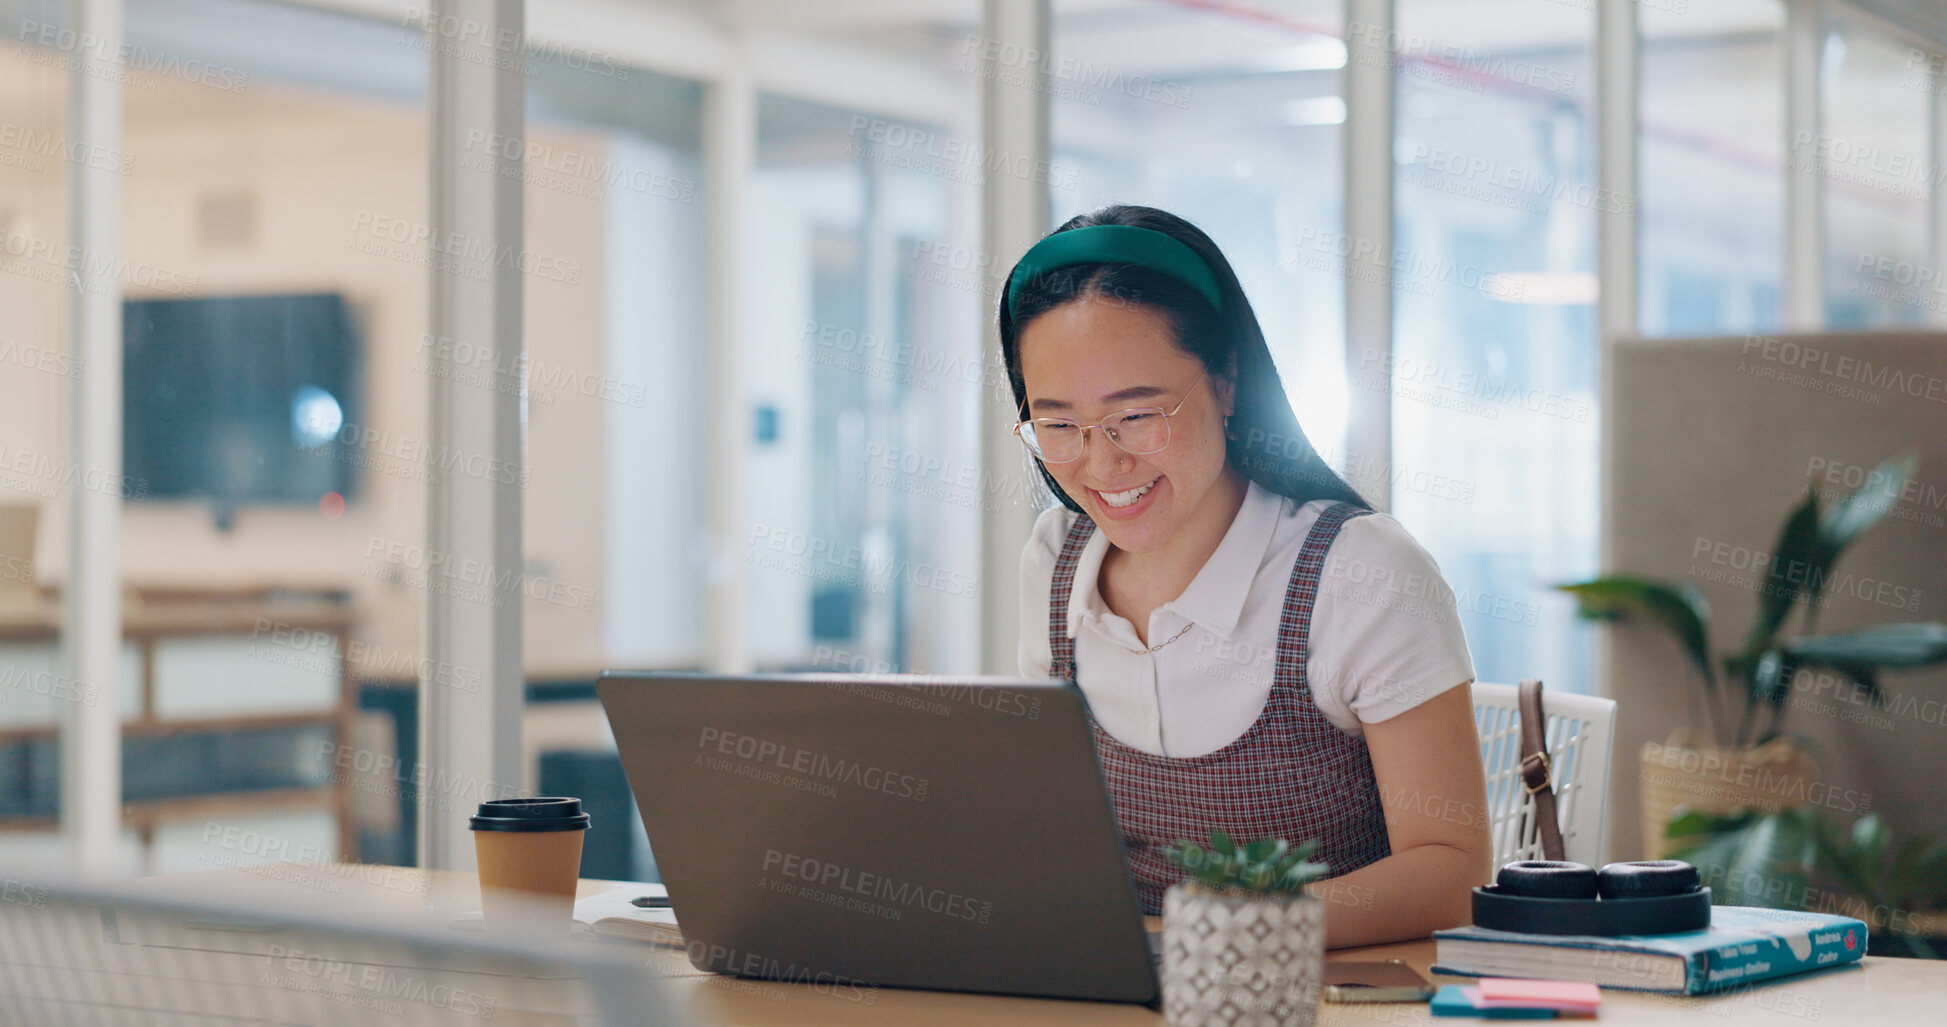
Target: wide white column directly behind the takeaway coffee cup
x=474 y=521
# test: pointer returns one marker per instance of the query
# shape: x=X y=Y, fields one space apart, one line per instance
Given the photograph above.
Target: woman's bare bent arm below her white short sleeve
x=1436 y=800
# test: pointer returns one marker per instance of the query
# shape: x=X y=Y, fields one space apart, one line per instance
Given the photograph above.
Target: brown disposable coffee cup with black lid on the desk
x=531 y=858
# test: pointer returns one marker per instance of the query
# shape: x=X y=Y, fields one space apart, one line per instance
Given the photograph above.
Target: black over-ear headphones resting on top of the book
x=1621 y=899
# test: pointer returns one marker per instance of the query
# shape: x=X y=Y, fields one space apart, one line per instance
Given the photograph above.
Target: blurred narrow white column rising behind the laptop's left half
x=729 y=157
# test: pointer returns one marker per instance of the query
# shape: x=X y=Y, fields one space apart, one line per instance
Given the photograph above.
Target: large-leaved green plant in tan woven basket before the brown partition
x=1734 y=755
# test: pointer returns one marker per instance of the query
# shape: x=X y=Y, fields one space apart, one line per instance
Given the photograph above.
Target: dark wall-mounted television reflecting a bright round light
x=242 y=400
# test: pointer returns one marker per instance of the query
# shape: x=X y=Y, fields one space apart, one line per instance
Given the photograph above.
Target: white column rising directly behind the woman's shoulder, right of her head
x=1370 y=128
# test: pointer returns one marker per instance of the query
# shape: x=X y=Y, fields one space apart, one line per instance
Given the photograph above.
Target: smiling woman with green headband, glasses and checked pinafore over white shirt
x=1261 y=652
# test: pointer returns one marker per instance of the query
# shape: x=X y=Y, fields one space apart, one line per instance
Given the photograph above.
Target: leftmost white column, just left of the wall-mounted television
x=91 y=638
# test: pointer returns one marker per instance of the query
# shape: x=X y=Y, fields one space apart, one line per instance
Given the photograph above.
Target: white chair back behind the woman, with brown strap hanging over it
x=1578 y=738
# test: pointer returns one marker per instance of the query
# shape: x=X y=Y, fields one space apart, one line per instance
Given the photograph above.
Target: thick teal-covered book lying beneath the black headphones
x=1742 y=944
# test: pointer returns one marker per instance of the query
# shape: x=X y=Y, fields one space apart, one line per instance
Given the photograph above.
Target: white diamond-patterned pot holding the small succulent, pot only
x=1241 y=960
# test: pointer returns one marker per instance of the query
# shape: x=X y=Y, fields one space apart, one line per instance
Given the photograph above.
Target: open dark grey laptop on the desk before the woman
x=885 y=831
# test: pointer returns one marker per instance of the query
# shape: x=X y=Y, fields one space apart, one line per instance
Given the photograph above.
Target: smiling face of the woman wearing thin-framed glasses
x=1093 y=358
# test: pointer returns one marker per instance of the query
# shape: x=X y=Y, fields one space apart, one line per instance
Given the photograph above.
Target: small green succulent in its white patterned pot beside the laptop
x=1243 y=944
